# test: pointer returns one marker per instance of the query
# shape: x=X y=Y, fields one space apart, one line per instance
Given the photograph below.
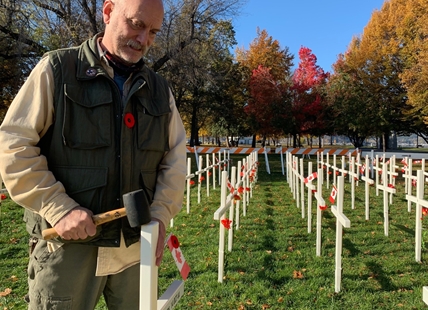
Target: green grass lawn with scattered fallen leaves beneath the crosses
x=273 y=264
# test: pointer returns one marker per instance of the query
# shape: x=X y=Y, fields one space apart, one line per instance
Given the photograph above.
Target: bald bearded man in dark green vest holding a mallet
x=90 y=124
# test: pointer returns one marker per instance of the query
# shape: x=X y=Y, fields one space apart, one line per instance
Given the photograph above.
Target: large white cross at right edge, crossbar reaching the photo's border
x=420 y=202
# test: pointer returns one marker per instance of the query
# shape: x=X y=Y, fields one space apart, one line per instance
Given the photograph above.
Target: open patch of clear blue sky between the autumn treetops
x=324 y=26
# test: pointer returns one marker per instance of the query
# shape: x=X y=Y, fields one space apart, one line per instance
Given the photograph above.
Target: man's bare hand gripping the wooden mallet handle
x=76 y=224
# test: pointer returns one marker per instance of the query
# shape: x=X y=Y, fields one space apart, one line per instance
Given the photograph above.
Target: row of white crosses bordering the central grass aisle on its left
x=240 y=185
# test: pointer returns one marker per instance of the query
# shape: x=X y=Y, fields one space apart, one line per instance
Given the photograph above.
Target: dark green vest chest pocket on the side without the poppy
x=87 y=117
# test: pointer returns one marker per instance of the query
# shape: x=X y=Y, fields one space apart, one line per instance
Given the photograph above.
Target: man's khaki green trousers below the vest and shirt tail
x=65 y=279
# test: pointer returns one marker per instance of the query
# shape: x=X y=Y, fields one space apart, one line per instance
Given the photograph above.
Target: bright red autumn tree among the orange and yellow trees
x=308 y=104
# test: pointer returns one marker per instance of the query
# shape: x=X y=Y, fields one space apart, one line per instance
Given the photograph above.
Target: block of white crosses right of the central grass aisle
x=384 y=169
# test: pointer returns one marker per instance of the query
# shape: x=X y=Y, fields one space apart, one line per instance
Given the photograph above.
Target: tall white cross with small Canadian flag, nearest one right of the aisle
x=341 y=221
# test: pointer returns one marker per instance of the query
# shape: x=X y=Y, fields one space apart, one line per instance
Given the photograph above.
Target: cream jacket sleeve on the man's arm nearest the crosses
x=171 y=179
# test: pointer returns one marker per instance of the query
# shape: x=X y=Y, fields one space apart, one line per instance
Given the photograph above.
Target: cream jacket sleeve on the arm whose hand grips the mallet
x=24 y=171
